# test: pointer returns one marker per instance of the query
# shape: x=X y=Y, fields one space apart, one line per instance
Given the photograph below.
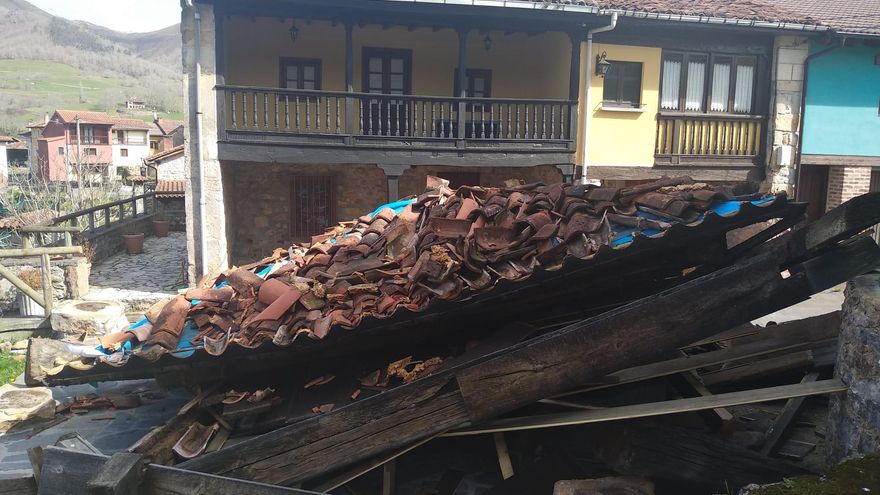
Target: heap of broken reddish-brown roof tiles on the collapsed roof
x=442 y=245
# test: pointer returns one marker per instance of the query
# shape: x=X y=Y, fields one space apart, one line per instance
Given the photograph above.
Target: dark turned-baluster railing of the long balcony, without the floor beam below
x=377 y=116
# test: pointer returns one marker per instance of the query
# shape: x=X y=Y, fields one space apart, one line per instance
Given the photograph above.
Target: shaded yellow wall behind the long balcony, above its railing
x=522 y=66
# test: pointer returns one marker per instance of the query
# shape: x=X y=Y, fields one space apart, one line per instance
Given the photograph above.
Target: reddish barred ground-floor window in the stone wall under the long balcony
x=312 y=205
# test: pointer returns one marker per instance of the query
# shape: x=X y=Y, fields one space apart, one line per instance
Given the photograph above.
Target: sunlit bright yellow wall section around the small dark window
x=621 y=138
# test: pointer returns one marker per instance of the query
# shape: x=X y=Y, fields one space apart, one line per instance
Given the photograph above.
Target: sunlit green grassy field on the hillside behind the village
x=30 y=88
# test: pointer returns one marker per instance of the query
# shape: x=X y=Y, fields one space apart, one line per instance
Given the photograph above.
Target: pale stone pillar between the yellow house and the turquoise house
x=786 y=86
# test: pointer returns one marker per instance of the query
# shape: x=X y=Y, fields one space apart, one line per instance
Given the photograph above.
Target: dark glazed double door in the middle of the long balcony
x=388 y=72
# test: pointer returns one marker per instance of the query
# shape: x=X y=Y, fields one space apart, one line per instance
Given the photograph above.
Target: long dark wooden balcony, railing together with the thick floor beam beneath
x=304 y=126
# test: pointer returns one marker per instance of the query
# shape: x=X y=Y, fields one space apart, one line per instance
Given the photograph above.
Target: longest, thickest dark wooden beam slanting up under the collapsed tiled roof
x=638 y=333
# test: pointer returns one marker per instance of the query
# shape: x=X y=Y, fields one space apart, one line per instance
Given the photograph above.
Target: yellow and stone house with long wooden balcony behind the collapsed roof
x=331 y=109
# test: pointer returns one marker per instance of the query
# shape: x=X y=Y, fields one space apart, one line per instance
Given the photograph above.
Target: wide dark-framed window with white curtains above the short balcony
x=700 y=82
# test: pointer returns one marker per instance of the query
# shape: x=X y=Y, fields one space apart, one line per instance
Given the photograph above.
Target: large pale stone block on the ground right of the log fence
x=75 y=317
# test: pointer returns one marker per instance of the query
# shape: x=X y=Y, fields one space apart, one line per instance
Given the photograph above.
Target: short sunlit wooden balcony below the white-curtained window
x=709 y=140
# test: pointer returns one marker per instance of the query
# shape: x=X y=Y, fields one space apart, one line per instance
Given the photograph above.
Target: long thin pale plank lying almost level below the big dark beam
x=654 y=408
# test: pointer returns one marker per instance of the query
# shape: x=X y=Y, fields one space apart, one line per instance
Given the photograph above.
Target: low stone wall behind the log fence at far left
x=70 y=280
